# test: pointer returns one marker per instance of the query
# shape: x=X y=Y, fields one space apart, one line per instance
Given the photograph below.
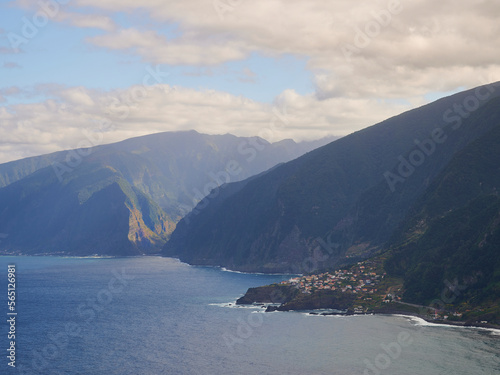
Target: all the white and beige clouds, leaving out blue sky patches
x=365 y=56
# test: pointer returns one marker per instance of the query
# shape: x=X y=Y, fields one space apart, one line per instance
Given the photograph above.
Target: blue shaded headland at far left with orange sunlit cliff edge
x=81 y=215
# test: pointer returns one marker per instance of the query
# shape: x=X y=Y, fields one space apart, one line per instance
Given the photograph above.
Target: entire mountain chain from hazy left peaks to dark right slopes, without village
x=419 y=189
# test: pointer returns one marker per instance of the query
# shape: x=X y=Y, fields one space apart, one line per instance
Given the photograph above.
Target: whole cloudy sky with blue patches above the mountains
x=74 y=72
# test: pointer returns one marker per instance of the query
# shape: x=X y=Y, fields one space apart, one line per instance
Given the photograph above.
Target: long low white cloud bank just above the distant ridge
x=60 y=123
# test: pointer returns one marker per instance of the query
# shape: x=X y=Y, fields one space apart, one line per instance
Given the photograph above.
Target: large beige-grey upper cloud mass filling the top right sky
x=402 y=41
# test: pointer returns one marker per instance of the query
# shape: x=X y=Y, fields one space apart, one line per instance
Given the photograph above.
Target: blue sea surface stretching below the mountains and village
x=152 y=315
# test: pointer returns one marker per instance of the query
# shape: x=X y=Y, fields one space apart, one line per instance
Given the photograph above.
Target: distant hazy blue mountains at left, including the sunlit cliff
x=124 y=198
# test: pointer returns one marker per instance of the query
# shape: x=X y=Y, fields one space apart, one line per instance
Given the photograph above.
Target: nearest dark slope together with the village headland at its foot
x=441 y=264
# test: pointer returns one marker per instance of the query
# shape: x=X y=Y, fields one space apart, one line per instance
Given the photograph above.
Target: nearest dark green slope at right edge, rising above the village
x=452 y=235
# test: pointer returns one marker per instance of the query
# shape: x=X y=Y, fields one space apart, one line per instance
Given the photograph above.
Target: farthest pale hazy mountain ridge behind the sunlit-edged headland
x=176 y=169
